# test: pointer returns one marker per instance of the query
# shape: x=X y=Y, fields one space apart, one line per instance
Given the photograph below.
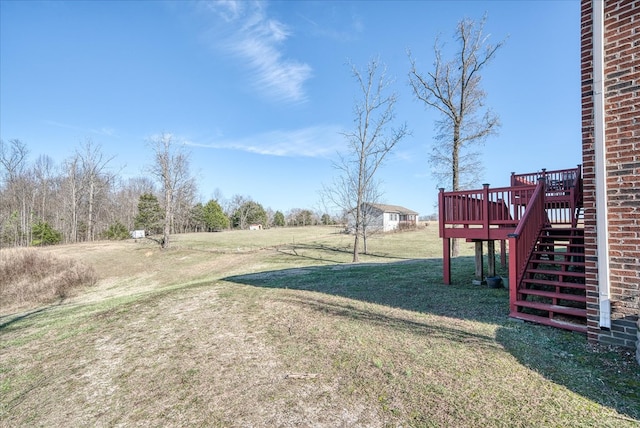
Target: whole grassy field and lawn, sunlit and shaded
x=276 y=328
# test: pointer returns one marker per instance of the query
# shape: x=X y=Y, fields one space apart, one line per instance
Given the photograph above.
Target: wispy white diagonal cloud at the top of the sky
x=258 y=40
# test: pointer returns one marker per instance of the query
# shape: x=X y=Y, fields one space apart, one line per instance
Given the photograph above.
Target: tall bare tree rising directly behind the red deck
x=453 y=89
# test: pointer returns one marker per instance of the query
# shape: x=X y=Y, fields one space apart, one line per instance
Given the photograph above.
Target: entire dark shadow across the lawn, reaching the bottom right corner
x=607 y=377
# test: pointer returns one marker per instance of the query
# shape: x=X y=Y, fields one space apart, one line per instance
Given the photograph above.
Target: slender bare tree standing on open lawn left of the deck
x=367 y=146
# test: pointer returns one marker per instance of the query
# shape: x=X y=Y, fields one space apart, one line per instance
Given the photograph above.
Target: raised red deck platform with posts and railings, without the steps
x=516 y=213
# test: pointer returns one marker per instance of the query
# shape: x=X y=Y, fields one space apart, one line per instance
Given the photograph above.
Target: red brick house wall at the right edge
x=622 y=151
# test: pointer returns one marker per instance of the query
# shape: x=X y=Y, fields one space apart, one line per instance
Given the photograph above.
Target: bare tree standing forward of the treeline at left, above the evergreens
x=171 y=170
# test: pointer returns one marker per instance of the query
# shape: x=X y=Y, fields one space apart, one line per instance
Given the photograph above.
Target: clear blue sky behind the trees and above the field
x=259 y=92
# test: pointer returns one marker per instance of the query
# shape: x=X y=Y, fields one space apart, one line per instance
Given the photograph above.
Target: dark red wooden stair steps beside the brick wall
x=552 y=291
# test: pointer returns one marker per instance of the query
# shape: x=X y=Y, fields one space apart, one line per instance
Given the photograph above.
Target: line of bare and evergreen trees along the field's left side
x=84 y=199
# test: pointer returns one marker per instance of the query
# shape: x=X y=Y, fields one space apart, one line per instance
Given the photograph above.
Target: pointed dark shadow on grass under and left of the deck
x=414 y=285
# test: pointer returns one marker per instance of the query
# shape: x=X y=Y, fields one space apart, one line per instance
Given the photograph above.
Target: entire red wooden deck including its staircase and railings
x=523 y=215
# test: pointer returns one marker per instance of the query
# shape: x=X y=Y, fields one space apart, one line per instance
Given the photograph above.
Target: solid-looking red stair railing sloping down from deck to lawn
x=523 y=241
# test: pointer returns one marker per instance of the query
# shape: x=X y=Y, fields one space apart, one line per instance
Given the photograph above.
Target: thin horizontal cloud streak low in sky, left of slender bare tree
x=316 y=142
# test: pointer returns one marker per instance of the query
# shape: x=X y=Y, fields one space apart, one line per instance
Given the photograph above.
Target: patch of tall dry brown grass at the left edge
x=30 y=277
